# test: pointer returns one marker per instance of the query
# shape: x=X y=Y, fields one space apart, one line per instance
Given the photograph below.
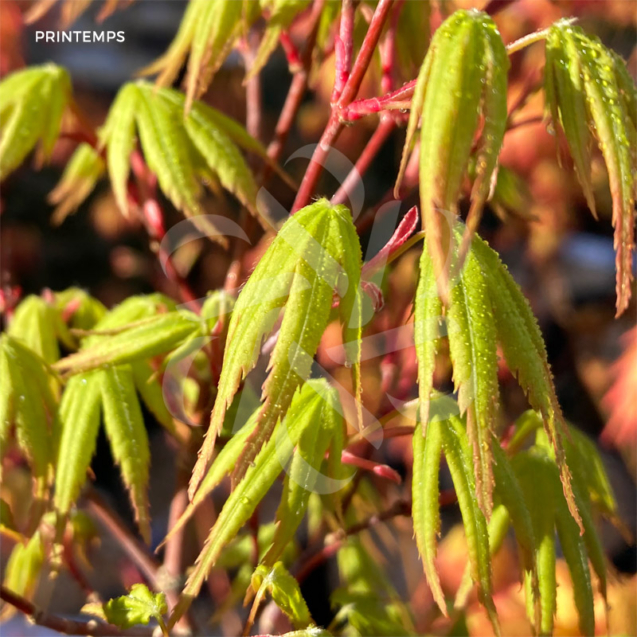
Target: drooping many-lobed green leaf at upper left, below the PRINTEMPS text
x=181 y=150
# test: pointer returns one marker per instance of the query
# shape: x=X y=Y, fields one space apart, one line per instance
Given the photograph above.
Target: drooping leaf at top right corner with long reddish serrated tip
x=590 y=93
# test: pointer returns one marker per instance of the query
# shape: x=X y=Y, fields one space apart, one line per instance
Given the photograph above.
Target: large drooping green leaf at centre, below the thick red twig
x=315 y=254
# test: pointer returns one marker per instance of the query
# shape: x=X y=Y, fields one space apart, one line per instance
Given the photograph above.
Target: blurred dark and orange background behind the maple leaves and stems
x=561 y=256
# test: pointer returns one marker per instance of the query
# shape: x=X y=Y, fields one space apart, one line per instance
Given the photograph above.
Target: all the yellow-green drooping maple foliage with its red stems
x=70 y=366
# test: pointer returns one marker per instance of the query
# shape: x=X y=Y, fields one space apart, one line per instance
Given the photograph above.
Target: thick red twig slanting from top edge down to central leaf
x=335 y=125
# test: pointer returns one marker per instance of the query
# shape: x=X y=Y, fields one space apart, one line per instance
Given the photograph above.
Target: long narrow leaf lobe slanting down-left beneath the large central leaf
x=304 y=411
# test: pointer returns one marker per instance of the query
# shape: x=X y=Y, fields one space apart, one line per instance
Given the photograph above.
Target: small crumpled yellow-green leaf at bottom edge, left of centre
x=285 y=592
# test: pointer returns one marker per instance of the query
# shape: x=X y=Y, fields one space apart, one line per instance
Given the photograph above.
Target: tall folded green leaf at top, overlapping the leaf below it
x=464 y=72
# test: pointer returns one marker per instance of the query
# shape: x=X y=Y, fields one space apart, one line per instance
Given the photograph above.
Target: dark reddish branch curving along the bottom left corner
x=68 y=626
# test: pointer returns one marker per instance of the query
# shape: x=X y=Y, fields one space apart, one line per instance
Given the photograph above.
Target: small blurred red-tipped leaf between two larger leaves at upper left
x=82 y=172
